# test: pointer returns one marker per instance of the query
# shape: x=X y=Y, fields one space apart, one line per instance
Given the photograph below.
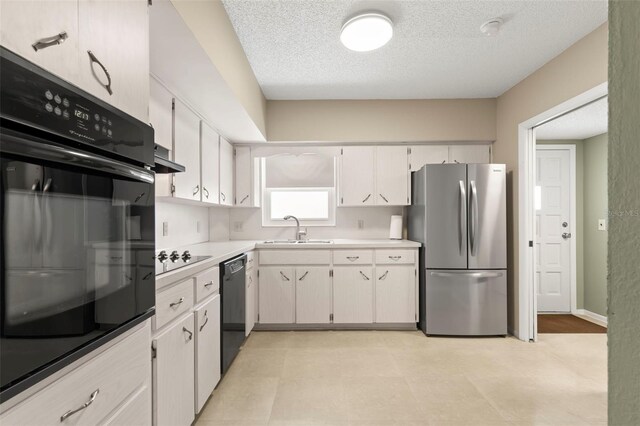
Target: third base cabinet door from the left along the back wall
x=353 y=294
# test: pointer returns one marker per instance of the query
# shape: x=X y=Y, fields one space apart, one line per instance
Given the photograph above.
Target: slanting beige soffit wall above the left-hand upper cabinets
x=211 y=26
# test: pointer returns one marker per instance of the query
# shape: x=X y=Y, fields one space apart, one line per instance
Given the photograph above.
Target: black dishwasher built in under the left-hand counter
x=232 y=290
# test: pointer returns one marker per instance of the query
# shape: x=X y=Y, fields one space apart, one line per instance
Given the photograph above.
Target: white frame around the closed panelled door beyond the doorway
x=573 y=200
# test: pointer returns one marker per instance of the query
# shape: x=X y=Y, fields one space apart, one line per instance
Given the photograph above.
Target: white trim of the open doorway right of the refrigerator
x=527 y=306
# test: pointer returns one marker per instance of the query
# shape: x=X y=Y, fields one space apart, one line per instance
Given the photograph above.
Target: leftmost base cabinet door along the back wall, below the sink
x=276 y=295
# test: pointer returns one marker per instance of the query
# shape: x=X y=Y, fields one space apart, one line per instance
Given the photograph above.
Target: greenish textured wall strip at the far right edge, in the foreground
x=624 y=207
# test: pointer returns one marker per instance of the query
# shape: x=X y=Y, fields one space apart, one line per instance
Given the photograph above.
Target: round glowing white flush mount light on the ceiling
x=367 y=31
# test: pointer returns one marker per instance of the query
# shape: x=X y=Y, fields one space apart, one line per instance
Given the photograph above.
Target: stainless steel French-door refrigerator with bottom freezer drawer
x=458 y=213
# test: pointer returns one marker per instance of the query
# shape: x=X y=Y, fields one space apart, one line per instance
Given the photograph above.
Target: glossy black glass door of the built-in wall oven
x=77 y=258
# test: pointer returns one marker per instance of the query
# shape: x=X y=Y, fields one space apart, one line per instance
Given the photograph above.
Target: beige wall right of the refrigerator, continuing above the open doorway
x=576 y=70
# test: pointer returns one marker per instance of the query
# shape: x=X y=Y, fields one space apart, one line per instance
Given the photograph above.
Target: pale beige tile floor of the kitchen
x=404 y=378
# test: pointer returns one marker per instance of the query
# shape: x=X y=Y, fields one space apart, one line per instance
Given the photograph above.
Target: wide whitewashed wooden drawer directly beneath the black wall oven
x=113 y=376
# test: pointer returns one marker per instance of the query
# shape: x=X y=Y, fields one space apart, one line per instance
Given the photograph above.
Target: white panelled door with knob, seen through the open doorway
x=553 y=200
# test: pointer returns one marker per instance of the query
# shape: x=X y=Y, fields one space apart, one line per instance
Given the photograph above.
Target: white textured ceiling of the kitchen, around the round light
x=437 y=50
